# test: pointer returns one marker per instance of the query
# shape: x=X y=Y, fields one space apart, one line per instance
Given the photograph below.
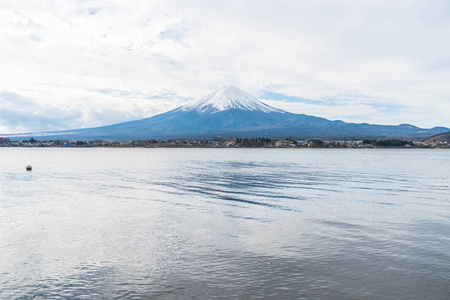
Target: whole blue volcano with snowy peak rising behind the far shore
x=230 y=112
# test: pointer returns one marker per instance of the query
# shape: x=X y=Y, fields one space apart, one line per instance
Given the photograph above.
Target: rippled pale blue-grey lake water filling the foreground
x=224 y=224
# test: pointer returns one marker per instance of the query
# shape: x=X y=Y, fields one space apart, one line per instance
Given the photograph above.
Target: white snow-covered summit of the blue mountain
x=228 y=97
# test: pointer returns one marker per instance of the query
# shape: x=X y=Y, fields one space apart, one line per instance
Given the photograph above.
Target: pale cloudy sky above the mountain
x=73 y=64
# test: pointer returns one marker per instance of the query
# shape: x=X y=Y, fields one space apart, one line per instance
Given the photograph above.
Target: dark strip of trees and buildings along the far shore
x=258 y=142
